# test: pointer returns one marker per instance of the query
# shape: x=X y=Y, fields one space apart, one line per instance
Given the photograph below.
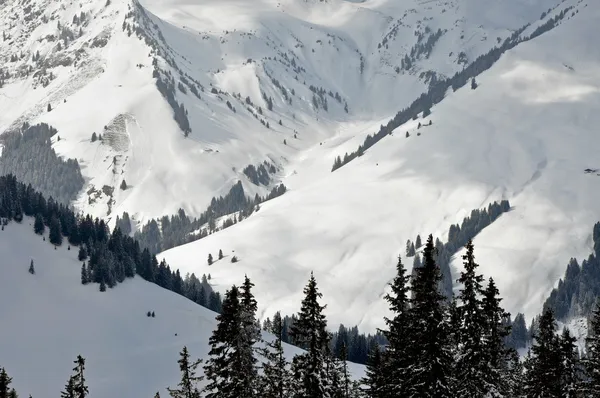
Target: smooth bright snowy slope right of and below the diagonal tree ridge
x=527 y=134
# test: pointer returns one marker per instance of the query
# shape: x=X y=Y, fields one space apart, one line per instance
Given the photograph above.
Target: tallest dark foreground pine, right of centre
x=429 y=352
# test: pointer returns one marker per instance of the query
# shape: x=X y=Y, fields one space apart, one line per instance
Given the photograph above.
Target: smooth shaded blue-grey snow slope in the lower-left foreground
x=50 y=317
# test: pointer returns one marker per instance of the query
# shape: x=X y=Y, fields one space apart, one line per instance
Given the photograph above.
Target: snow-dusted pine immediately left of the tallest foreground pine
x=394 y=369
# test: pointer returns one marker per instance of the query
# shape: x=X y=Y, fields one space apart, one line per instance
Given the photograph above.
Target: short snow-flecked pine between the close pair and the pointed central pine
x=275 y=379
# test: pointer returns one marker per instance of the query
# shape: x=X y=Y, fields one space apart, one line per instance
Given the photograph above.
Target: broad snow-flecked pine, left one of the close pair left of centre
x=225 y=366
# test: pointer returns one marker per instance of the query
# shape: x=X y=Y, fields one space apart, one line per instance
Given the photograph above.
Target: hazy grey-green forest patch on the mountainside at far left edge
x=28 y=154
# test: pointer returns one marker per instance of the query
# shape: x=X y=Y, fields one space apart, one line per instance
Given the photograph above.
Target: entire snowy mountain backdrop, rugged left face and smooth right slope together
x=187 y=94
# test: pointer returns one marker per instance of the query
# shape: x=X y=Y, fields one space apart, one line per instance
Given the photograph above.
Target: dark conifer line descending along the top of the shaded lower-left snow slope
x=108 y=258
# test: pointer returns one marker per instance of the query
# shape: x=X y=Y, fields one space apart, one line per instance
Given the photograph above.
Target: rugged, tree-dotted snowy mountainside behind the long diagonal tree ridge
x=96 y=63
